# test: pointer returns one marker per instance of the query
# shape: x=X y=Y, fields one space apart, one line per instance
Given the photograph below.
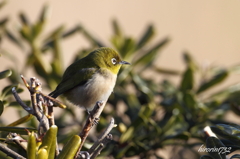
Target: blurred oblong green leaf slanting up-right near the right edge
x=218 y=78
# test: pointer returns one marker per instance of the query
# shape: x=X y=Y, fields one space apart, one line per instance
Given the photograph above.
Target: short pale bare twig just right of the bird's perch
x=102 y=136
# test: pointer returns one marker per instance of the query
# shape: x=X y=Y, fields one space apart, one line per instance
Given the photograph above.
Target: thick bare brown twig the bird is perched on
x=91 y=119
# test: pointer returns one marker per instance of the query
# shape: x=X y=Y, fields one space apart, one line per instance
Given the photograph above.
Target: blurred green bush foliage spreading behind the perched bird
x=145 y=124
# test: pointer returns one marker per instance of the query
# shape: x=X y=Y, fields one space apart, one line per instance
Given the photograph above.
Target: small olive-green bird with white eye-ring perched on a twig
x=91 y=78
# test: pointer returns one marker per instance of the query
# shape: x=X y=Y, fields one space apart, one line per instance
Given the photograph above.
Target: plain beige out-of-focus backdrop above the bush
x=207 y=29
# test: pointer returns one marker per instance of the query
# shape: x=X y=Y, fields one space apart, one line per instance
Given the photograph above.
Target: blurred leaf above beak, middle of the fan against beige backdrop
x=147 y=36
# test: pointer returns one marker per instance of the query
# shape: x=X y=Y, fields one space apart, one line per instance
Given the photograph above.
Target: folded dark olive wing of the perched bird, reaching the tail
x=72 y=79
